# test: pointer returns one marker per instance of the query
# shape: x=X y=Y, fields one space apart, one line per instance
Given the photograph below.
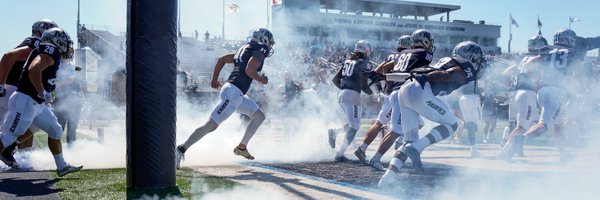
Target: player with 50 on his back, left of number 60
x=351 y=80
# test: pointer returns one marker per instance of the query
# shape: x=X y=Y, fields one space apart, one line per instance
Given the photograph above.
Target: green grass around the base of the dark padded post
x=111 y=184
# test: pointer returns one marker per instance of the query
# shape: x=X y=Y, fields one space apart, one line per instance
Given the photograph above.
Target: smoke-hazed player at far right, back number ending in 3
x=554 y=71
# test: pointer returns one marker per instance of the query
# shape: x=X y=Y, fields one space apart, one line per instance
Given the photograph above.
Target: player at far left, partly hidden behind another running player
x=10 y=72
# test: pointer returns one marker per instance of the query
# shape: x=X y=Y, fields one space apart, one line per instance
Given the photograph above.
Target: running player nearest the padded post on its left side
x=29 y=104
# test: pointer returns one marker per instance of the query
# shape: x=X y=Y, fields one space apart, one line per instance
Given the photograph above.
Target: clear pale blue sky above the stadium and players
x=202 y=15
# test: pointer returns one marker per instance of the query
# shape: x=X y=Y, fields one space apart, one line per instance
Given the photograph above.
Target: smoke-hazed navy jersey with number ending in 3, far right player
x=558 y=63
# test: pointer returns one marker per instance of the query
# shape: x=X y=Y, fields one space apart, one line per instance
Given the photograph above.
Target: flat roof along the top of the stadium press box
x=396 y=7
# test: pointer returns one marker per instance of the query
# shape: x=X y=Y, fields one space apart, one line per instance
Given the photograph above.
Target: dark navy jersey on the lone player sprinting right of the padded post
x=238 y=76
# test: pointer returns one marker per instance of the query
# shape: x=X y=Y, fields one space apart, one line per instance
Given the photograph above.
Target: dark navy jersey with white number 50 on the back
x=351 y=72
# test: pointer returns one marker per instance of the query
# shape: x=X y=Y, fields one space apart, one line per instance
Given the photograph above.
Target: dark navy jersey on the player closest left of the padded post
x=48 y=75
